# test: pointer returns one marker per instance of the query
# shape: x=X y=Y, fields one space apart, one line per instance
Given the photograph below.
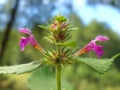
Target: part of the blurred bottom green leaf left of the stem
x=41 y=79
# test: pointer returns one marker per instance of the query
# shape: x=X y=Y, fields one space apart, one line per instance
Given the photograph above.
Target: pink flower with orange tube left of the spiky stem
x=24 y=41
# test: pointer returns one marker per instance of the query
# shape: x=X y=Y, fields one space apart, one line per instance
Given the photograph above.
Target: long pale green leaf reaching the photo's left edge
x=19 y=69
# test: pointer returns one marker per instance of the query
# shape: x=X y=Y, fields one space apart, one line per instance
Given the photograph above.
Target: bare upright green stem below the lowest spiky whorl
x=58 y=76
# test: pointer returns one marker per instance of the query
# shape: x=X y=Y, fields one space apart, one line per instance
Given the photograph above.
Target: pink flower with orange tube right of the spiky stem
x=93 y=46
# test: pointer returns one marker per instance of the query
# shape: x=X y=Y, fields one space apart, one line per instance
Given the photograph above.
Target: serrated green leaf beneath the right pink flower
x=99 y=65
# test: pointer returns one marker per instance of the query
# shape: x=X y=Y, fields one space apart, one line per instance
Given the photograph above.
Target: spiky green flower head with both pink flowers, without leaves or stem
x=59 y=29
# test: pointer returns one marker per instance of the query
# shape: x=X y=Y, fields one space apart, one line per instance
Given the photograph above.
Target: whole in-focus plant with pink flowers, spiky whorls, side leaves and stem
x=62 y=53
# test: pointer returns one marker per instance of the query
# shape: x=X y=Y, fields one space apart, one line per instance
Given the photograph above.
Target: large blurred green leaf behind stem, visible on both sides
x=44 y=79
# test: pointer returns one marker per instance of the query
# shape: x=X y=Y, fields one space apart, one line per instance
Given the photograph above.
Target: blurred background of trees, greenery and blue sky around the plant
x=92 y=17
